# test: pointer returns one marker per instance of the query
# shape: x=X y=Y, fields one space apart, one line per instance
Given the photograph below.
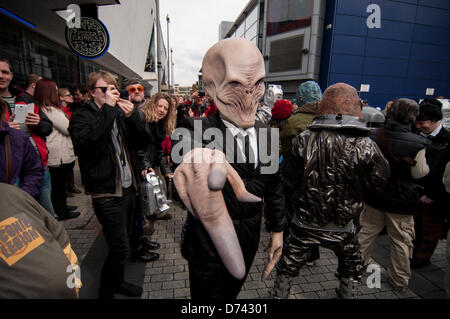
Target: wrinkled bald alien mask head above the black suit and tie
x=233 y=75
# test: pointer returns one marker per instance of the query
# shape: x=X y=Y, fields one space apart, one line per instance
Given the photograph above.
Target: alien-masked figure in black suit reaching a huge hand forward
x=221 y=233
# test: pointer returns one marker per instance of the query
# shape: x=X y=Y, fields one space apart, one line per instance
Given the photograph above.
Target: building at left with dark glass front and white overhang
x=32 y=37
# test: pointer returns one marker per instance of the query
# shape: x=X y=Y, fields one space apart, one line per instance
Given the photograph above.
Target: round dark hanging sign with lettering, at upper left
x=90 y=41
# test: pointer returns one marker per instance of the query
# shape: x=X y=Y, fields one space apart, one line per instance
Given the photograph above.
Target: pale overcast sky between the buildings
x=193 y=29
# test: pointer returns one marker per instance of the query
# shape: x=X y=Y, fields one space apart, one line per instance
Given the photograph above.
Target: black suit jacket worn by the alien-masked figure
x=197 y=246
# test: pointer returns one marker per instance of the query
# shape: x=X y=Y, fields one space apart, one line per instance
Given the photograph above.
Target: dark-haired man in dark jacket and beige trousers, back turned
x=399 y=201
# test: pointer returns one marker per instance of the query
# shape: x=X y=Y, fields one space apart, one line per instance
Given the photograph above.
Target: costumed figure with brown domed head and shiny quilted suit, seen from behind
x=326 y=172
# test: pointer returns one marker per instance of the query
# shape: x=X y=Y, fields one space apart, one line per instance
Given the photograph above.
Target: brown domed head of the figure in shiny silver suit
x=340 y=98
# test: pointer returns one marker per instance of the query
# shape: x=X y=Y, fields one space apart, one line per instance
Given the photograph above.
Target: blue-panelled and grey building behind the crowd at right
x=384 y=48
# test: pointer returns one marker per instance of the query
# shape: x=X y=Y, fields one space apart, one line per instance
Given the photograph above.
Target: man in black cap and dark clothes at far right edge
x=434 y=210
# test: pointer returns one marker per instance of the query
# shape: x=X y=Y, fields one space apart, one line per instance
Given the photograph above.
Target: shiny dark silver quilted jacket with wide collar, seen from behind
x=329 y=167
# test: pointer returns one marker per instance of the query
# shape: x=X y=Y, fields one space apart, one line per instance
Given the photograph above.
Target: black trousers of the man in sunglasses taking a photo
x=115 y=214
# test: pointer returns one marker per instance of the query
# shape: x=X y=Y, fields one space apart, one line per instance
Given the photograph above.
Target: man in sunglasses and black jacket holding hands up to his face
x=101 y=136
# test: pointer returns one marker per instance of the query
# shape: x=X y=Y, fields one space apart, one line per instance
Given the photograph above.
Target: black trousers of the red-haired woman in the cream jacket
x=58 y=175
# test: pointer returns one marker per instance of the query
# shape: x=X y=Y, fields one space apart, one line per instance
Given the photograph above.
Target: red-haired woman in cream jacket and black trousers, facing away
x=61 y=157
